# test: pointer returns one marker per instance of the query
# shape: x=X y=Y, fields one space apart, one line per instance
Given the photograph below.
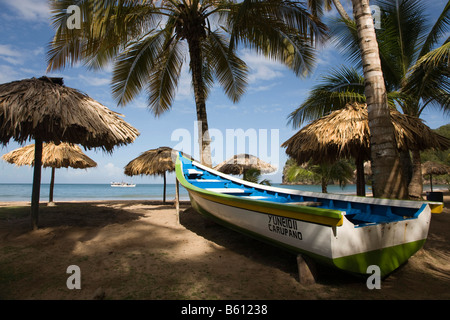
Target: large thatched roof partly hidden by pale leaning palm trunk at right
x=345 y=133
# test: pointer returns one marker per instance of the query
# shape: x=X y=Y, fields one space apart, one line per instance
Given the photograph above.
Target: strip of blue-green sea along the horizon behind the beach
x=89 y=192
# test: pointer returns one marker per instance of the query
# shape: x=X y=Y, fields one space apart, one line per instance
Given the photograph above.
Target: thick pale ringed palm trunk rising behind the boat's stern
x=388 y=179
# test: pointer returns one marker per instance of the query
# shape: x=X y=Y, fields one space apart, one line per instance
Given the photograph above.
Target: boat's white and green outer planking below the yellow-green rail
x=387 y=247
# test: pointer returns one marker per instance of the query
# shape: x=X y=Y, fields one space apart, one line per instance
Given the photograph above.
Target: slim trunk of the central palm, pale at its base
x=200 y=101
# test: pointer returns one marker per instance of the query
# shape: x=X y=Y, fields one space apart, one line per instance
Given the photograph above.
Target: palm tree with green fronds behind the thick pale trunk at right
x=416 y=74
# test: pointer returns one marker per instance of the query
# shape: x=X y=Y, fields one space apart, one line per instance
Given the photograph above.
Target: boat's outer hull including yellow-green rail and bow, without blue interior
x=341 y=244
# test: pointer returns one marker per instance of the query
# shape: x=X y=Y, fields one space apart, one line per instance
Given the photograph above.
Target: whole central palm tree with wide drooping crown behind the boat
x=147 y=40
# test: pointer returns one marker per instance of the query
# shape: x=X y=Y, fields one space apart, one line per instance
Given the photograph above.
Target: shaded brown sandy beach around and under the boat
x=138 y=250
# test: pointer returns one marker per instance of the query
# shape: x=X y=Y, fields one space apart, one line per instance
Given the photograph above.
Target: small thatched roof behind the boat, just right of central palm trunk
x=241 y=162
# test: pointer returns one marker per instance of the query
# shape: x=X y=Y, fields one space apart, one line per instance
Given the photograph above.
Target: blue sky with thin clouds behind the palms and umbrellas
x=260 y=115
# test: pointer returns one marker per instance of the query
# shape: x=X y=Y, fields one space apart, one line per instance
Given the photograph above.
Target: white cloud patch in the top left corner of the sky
x=31 y=10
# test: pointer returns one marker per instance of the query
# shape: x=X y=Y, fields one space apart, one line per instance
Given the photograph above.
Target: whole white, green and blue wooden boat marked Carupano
x=347 y=232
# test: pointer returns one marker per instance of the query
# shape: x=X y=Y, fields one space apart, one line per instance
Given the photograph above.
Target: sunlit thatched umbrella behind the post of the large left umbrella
x=54 y=156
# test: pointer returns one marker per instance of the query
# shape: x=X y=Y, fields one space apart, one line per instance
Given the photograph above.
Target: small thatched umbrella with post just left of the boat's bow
x=153 y=162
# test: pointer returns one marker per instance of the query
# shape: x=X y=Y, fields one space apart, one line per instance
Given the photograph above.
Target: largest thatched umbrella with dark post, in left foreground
x=45 y=110
